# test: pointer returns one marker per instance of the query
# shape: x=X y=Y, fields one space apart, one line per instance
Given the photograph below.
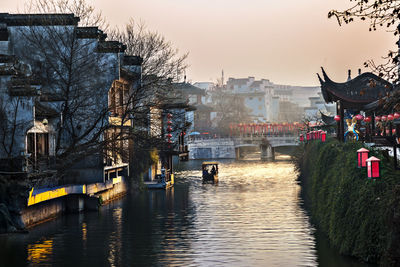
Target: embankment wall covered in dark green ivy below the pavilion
x=360 y=216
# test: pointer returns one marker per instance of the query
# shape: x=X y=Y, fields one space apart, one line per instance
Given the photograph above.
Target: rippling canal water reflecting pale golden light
x=252 y=217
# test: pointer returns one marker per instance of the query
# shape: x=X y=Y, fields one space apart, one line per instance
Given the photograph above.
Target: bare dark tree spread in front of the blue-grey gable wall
x=75 y=80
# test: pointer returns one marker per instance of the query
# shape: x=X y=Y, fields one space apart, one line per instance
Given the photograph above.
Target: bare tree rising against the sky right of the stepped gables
x=162 y=66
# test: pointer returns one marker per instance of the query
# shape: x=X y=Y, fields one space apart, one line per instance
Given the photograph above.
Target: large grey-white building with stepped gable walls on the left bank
x=62 y=90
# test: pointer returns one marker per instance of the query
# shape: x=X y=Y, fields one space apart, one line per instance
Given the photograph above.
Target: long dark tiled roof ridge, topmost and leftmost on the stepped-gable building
x=38 y=19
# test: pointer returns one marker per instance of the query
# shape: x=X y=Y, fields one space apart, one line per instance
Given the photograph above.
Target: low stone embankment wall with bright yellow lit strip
x=52 y=202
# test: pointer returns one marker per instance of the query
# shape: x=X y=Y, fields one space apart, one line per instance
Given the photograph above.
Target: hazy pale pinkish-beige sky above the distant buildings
x=285 y=41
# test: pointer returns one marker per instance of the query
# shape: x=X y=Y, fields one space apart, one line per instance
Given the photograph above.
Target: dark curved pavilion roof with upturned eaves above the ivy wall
x=357 y=92
